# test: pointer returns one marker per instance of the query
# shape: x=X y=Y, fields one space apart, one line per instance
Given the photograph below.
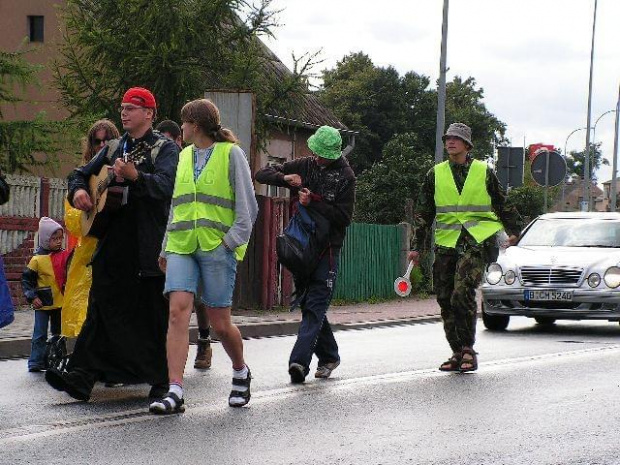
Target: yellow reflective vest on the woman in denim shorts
x=203 y=210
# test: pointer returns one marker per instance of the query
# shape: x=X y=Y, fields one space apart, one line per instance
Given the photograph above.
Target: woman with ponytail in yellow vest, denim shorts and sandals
x=212 y=213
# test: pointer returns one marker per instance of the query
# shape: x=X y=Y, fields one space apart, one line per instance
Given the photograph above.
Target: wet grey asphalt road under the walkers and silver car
x=541 y=396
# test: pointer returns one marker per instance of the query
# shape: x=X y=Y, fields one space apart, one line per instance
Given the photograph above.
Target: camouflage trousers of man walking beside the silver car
x=456 y=277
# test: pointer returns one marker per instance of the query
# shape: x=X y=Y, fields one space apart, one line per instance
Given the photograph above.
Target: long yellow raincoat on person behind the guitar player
x=79 y=276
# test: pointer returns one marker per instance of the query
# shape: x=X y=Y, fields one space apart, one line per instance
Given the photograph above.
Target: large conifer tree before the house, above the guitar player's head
x=176 y=49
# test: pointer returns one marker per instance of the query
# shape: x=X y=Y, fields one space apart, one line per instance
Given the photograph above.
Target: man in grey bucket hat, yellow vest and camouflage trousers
x=468 y=219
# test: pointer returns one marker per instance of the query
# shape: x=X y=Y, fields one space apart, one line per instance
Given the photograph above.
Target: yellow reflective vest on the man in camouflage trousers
x=471 y=209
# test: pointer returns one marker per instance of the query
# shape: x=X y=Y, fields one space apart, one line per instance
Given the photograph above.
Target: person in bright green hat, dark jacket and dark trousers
x=325 y=185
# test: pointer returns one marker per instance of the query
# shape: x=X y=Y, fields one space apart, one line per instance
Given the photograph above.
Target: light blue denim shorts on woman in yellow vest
x=212 y=272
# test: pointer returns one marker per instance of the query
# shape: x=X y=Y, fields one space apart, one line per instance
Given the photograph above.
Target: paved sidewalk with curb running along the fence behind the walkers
x=15 y=338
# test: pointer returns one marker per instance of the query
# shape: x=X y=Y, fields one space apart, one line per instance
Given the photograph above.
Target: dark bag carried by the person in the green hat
x=301 y=246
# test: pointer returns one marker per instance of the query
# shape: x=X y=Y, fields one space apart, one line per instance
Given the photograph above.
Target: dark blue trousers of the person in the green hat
x=315 y=335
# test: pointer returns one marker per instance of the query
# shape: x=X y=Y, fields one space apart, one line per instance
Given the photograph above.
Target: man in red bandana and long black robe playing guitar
x=123 y=339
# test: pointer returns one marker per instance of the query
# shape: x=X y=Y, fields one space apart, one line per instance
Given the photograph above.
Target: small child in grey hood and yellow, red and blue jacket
x=43 y=283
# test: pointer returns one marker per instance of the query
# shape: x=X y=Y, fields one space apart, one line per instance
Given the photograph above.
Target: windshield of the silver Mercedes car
x=572 y=232
